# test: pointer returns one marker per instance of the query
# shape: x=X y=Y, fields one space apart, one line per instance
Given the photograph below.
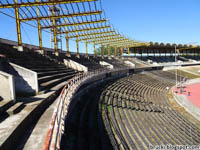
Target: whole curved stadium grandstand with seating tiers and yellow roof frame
x=125 y=94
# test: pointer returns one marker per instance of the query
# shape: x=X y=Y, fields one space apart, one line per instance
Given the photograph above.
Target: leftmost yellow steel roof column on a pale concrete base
x=20 y=48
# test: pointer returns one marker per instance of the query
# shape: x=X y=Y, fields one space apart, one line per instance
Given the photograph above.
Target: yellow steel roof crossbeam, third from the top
x=75 y=24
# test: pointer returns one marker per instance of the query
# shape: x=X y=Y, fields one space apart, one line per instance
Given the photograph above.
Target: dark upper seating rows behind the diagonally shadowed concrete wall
x=50 y=73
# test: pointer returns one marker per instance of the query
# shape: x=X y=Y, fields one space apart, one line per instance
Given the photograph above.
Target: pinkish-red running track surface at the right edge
x=194 y=96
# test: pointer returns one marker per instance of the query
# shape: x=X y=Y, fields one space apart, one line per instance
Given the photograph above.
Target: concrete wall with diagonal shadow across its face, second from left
x=26 y=81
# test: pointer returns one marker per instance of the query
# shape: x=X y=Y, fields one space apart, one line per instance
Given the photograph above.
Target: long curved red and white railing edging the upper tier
x=56 y=128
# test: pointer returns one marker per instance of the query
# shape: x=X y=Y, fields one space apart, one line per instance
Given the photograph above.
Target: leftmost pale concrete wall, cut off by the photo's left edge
x=7 y=86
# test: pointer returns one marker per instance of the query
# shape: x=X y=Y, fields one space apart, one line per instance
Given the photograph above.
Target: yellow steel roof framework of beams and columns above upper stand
x=82 y=20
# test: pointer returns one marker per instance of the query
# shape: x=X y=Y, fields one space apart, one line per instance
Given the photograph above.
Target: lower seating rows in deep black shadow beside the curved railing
x=84 y=128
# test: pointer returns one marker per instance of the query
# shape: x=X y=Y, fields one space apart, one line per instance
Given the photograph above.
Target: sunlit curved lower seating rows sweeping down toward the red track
x=136 y=124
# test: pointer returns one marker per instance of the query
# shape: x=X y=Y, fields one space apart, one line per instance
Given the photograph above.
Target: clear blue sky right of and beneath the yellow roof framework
x=167 y=21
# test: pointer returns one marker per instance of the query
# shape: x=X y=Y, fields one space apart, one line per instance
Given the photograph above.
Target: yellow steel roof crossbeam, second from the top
x=62 y=16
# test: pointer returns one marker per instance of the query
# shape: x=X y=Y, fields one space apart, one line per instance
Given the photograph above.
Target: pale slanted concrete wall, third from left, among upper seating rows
x=74 y=65
